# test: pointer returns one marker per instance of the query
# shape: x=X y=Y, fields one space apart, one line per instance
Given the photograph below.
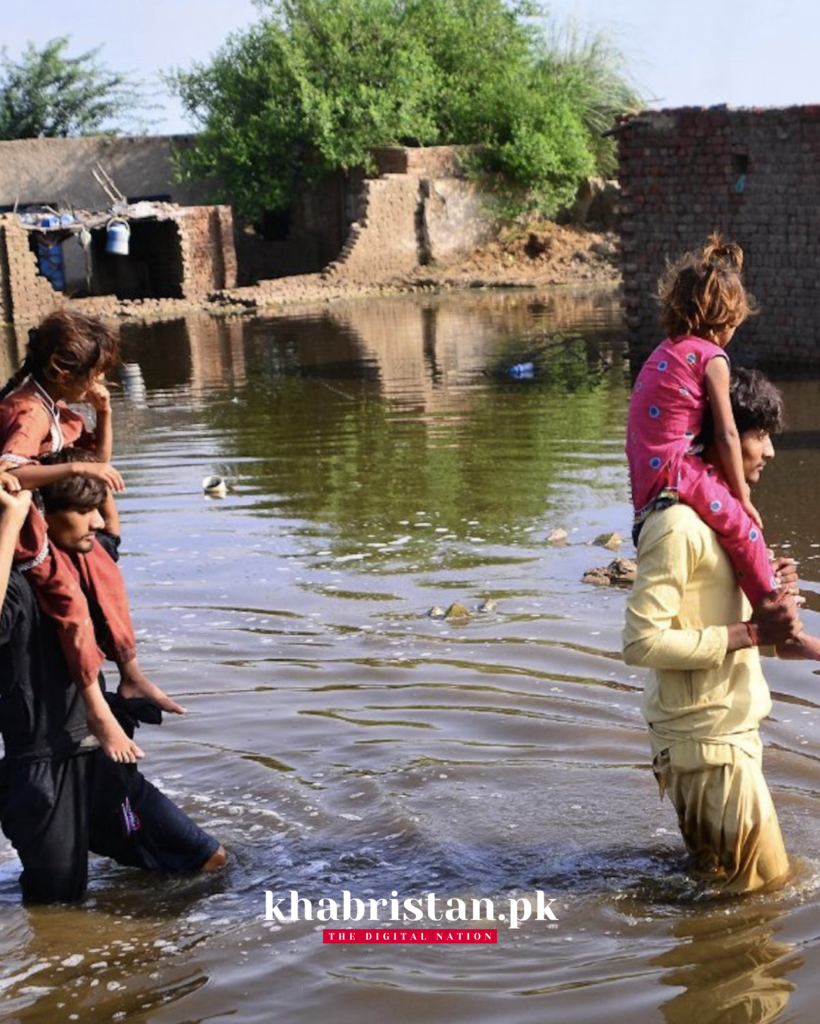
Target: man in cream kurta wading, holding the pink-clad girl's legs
x=688 y=621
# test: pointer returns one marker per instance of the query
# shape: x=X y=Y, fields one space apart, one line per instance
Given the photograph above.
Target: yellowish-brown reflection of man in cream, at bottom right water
x=731 y=969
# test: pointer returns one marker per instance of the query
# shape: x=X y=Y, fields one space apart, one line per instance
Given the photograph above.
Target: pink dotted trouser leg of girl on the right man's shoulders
x=703 y=488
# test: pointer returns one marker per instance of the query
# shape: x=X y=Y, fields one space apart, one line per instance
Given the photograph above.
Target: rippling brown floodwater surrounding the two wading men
x=382 y=461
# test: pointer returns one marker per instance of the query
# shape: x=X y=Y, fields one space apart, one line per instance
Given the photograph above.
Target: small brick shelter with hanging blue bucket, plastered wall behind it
x=101 y=221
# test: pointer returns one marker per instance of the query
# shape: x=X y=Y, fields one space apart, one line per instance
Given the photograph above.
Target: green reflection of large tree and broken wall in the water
x=367 y=431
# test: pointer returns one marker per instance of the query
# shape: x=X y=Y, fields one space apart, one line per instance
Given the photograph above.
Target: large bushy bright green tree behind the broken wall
x=316 y=84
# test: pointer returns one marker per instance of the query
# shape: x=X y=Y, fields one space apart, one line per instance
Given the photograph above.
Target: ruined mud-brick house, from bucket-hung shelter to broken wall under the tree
x=58 y=212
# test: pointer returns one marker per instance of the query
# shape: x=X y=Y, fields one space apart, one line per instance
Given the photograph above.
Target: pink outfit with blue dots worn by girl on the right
x=667 y=412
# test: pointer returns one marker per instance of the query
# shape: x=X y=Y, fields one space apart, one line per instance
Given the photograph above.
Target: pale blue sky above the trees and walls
x=693 y=53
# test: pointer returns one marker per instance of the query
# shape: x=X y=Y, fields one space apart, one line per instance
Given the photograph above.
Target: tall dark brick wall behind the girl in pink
x=755 y=177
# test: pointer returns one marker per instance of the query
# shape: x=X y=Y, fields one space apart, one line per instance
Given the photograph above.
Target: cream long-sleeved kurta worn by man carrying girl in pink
x=699 y=697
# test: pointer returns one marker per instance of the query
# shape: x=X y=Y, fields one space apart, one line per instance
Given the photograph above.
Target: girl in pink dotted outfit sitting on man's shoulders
x=703 y=304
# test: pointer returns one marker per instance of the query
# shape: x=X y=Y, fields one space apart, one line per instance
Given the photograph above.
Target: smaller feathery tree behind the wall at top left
x=48 y=94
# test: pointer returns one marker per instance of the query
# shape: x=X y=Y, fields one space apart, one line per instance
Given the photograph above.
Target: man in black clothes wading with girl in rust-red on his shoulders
x=60 y=795
